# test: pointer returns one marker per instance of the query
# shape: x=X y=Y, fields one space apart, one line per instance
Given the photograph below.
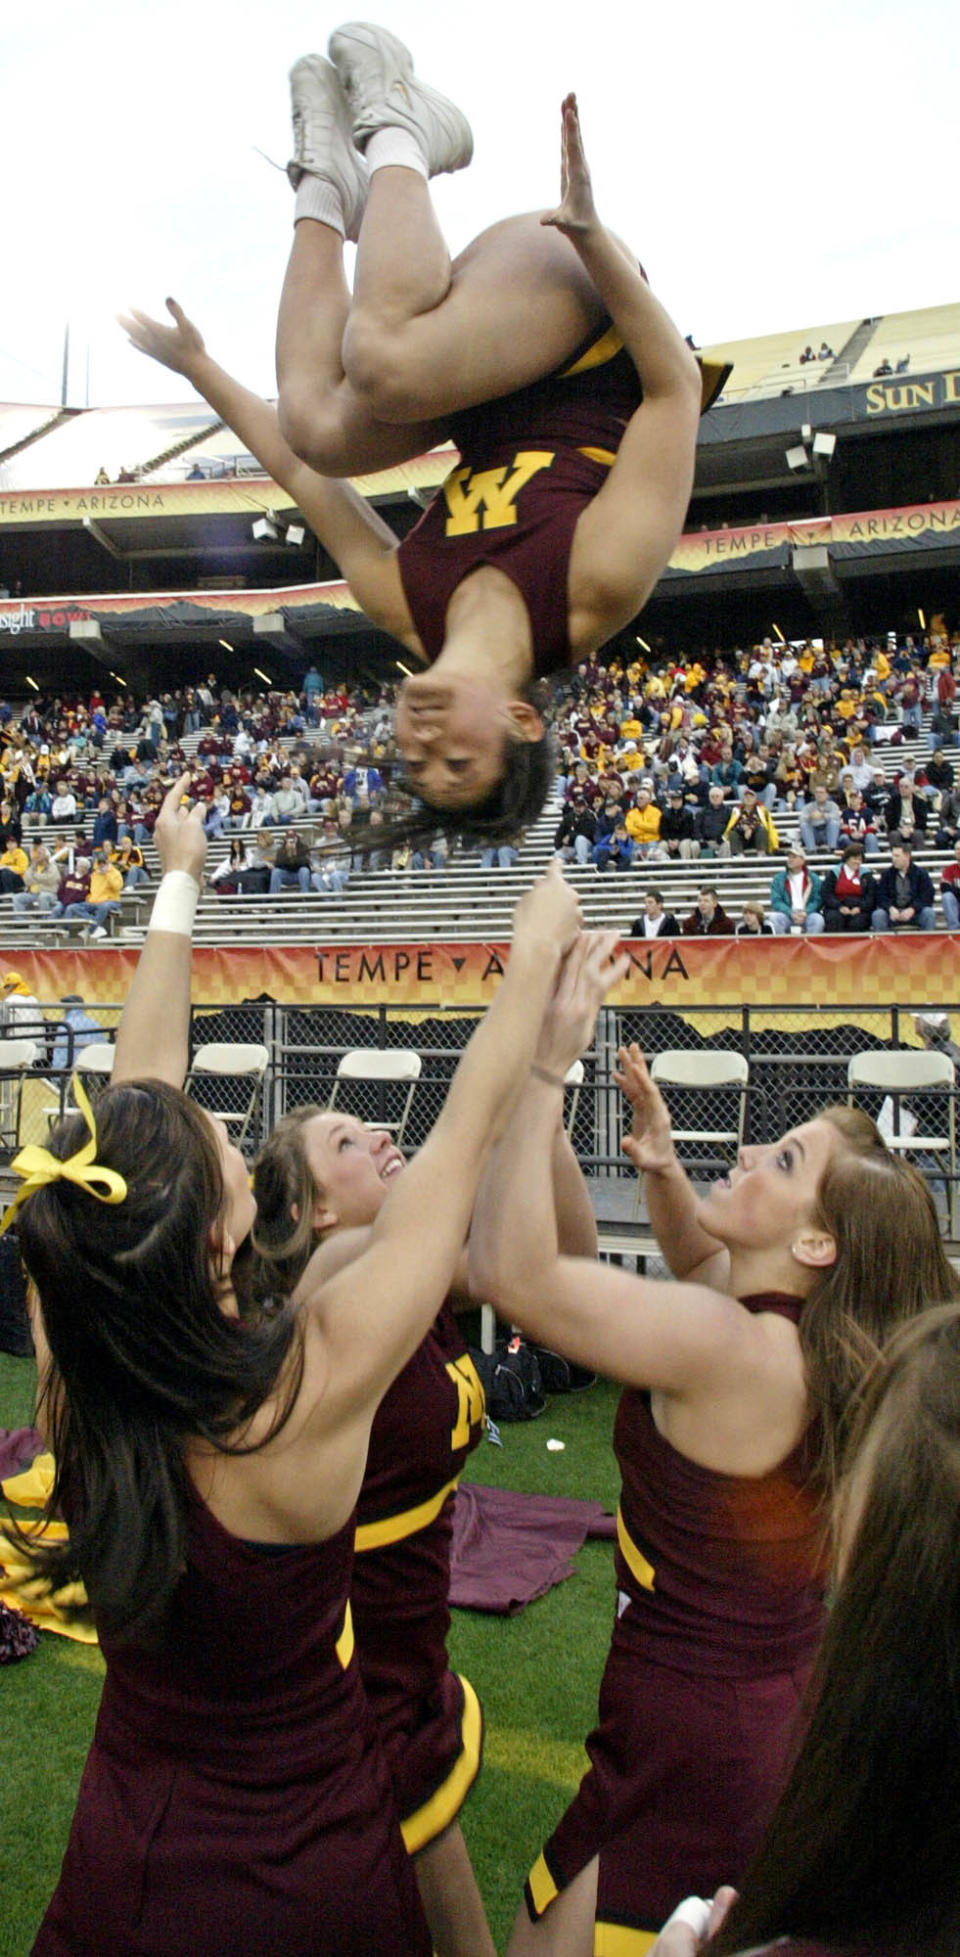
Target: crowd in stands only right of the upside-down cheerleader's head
x=715 y=760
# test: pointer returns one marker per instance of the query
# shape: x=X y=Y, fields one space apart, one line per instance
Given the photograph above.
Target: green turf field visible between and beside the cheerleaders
x=537 y=1676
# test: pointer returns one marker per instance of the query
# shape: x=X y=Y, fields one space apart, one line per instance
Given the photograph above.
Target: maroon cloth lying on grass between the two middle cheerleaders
x=511 y=1549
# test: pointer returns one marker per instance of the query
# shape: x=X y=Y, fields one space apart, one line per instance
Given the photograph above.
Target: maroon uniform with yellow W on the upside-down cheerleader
x=529 y=465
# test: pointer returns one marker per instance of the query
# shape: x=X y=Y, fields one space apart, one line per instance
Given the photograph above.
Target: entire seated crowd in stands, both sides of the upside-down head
x=660 y=762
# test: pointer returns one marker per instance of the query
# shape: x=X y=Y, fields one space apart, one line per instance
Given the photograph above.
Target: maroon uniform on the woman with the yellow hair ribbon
x=236 y=1799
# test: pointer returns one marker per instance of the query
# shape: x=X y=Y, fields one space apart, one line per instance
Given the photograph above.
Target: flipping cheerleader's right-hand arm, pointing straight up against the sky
x=627 y=535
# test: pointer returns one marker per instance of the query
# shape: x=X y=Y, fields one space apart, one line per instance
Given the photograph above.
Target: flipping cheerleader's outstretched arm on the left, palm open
x=347 y=525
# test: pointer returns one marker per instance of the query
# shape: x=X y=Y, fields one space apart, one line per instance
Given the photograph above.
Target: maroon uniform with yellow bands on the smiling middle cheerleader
x=429 y=1719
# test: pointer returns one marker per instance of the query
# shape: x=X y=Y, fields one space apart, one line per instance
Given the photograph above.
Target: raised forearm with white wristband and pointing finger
x=153 y=1034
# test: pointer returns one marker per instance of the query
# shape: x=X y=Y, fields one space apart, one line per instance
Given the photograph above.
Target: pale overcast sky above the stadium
x=775 y=165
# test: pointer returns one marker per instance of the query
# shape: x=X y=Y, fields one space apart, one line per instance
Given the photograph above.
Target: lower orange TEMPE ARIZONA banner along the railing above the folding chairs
x=920 y=970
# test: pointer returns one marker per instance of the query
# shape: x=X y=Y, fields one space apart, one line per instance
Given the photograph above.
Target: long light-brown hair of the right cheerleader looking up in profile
x=891 y=1265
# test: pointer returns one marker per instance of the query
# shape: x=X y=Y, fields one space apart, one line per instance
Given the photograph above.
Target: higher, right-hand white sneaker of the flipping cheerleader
x=384 y=93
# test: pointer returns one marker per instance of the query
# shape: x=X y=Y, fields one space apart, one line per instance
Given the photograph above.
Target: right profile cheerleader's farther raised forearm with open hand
x=689 y=1252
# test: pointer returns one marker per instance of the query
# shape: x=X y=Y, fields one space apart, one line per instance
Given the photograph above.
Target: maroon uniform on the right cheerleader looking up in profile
x=720 y=1614
